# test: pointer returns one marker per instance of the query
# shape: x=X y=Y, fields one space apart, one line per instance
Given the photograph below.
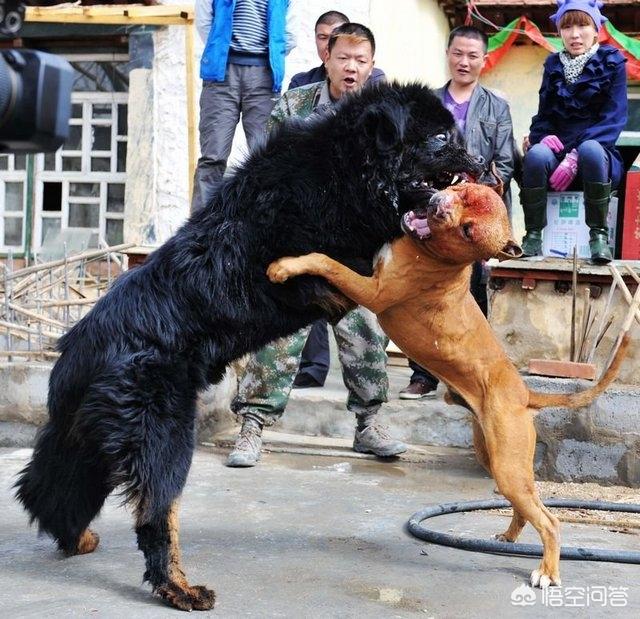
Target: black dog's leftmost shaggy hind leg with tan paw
x=63 y=488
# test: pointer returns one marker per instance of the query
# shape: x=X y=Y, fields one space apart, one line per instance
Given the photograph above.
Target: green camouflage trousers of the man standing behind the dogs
x=265 y=386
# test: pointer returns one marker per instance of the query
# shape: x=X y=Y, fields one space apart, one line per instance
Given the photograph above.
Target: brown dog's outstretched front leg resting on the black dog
x=363 y=290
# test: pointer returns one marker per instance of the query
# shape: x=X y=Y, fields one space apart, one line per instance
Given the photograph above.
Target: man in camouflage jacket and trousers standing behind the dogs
x=265 y=386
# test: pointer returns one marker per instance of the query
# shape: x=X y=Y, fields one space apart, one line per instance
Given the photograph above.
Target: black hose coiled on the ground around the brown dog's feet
x=510 y=548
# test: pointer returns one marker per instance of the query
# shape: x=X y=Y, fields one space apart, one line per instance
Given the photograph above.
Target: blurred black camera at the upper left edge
x=35 y=93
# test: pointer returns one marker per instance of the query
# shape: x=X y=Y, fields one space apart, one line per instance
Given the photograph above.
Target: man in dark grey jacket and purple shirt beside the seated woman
x=484 y=120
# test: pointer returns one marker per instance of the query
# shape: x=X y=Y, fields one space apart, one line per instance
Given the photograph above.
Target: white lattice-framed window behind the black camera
x=82 y=184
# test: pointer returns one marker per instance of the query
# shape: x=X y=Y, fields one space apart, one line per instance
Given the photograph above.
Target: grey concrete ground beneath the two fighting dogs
x=310 y=536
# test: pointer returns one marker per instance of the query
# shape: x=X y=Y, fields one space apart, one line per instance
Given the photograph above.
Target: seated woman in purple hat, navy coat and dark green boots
x=581 y=113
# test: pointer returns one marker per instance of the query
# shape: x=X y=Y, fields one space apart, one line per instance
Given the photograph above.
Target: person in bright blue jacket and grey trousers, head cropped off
x=242 y=69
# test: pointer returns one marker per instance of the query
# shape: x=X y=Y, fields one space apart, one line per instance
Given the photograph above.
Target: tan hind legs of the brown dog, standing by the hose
x=510 y=440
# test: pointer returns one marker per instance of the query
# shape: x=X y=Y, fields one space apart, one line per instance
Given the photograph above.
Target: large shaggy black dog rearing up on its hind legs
x=122 y=395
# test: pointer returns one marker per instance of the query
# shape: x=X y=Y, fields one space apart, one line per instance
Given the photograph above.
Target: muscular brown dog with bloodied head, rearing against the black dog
x=420 y=292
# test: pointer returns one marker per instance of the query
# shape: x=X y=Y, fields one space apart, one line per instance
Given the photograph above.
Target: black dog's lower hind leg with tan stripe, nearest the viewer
x=158 y=540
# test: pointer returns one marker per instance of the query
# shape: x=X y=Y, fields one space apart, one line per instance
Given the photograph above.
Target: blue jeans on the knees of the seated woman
x=540 y=162
